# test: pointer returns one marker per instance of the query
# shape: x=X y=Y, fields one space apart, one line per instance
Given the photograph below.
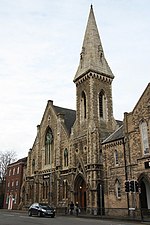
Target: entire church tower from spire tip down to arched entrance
x=94 y=116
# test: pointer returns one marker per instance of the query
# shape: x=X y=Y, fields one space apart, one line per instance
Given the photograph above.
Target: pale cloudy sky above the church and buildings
x=40 y=45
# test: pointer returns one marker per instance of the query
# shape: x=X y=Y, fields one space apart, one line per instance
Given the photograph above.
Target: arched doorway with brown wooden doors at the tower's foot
x=80 y=192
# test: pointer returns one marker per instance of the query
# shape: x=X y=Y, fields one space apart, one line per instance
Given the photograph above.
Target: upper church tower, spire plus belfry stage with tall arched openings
x=93 y=83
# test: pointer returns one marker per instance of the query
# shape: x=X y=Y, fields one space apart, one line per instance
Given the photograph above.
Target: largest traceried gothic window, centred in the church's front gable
x=48 y=146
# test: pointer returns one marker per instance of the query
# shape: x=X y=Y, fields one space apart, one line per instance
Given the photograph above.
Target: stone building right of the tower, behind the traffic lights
x=126 y=162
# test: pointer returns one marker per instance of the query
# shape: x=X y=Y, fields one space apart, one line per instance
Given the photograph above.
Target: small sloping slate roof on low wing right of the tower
x=118 y=134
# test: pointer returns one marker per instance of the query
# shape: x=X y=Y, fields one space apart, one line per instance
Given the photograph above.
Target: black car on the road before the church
x=41 y=209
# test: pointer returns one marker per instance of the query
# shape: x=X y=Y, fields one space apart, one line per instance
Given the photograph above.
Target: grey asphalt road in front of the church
x=19 y=218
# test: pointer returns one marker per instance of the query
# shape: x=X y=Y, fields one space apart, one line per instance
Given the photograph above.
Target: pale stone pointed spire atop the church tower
x=92 y=56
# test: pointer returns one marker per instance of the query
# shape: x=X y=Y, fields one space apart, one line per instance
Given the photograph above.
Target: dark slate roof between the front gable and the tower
x=69 y=116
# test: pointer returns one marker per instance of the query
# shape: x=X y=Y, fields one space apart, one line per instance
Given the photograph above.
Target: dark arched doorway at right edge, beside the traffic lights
x=144 y=193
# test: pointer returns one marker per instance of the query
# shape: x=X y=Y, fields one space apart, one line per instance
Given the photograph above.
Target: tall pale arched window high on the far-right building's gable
x=144 y=138
